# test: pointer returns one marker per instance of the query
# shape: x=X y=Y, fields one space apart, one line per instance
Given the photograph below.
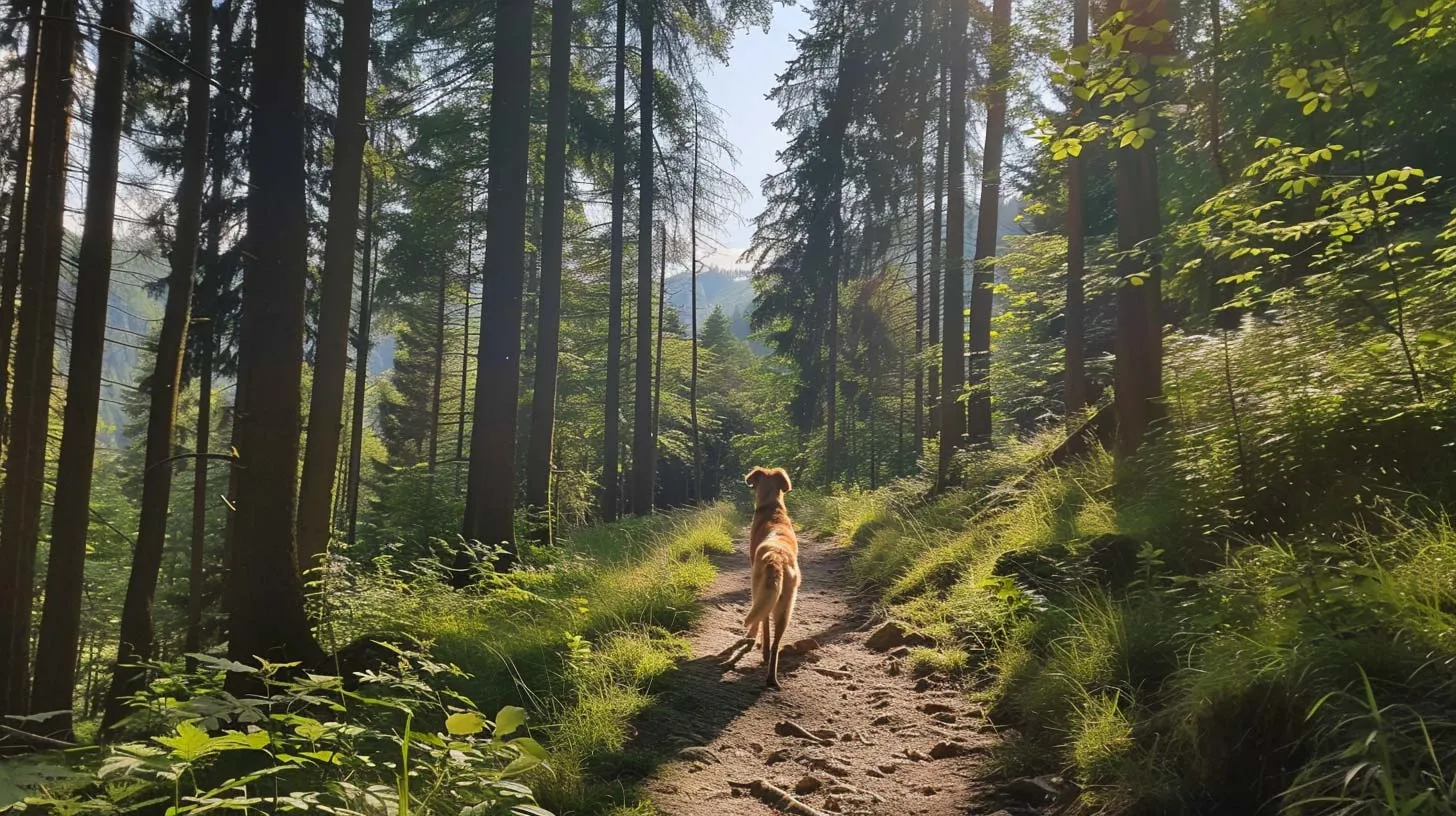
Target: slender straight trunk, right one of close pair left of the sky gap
x=644 y=452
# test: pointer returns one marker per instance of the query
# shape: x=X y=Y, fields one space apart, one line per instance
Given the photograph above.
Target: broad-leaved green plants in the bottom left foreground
x=394 y=739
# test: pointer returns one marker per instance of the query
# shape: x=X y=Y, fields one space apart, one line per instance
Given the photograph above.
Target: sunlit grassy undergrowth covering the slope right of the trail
x=1203 y=630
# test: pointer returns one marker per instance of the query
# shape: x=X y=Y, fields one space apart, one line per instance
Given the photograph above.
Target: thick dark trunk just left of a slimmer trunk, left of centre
x=490 y=503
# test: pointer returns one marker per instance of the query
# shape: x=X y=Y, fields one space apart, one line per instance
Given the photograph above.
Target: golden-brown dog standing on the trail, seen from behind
x=774 y=557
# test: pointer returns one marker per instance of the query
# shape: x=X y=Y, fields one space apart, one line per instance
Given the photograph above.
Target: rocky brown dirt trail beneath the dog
x=880 y=742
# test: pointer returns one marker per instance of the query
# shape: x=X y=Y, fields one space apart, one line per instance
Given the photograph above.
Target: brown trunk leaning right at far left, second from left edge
x=36 y=350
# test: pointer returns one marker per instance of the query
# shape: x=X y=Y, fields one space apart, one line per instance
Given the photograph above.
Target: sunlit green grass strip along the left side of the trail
x=580 y=637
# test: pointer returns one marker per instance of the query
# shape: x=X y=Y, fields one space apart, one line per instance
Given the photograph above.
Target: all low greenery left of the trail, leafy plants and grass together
x=576 y=642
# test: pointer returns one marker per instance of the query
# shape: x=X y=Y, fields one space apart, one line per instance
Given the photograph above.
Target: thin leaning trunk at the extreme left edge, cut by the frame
x=15 y=229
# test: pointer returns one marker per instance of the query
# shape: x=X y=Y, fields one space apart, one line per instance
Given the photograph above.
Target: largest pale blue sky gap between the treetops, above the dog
x=740 y=90
